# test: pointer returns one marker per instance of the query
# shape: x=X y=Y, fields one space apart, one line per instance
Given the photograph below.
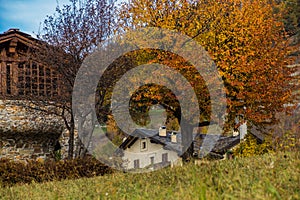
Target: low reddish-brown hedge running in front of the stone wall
x=18 y=172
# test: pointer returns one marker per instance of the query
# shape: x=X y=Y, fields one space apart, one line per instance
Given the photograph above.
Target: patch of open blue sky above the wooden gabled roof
x=27 y=15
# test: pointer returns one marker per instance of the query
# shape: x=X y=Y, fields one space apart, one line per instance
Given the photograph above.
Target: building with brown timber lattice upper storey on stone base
x=26 y=133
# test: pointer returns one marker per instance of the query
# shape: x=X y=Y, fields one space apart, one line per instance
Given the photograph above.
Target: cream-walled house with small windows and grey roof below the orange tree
x=149 y=149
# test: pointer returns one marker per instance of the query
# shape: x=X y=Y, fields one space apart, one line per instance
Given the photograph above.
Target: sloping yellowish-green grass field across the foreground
x=263 y=177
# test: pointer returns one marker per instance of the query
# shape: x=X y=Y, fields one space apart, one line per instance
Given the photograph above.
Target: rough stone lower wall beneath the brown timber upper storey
x=27 y=133
